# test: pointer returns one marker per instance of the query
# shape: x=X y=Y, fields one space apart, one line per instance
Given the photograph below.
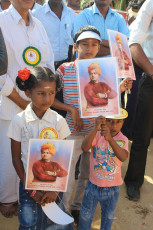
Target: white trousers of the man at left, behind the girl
x=8 y=176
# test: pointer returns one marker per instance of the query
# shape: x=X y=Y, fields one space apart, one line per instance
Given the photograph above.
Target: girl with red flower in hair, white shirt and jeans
x=40 y=85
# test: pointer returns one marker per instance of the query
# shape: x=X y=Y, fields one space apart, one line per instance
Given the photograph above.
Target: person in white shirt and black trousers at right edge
x=141 y=34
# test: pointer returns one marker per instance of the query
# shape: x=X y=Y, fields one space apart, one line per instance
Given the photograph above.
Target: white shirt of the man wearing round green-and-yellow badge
x=17 y=38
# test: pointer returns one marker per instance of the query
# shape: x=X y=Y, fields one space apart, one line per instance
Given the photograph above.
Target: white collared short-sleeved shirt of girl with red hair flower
x=26 y=125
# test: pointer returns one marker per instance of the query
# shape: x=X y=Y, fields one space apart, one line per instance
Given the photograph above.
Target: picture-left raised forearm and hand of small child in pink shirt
x=87 y=143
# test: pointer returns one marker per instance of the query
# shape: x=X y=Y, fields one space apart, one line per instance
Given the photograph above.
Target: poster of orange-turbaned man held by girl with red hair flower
x=48 y=164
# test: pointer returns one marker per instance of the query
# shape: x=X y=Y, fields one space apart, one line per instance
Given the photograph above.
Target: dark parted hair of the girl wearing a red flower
x=37 y=75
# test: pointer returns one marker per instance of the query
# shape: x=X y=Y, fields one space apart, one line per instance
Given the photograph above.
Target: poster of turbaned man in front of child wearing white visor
x=98 y=87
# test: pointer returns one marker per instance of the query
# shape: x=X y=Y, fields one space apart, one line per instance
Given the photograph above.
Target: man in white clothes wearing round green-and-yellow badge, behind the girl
x=27 y=45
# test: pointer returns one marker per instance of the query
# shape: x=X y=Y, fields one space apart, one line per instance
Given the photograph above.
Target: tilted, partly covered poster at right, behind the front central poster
x=120 y=49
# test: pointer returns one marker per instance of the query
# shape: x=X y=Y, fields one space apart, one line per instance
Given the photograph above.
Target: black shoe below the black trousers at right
x=133 y=192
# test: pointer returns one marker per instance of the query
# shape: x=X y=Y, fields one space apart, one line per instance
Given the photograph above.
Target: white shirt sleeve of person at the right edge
x=142 y=29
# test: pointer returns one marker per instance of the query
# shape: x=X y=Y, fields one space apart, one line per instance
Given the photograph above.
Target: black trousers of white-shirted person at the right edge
x=142 y=133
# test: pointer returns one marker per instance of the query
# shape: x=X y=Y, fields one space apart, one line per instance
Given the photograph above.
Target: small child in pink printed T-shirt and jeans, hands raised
x=109 y=148
